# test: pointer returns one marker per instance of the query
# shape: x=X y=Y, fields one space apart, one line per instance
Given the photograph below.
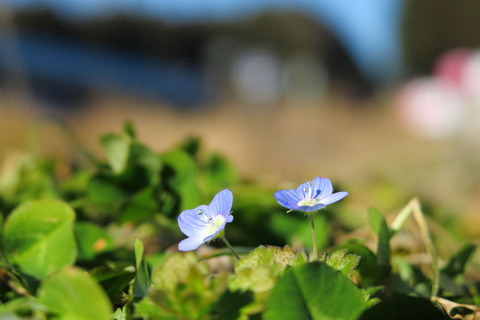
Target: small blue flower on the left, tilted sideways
x=205 y=223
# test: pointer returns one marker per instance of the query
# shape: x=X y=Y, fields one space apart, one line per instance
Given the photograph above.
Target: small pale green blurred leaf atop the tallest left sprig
x=117 y=150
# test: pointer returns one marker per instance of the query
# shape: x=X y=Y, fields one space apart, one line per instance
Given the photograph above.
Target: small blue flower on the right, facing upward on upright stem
x=309 y=196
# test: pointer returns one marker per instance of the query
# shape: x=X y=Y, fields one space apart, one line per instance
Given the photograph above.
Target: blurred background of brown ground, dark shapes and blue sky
x=383 y=97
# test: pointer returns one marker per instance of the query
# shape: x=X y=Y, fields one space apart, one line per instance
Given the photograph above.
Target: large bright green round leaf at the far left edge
x=39 y=237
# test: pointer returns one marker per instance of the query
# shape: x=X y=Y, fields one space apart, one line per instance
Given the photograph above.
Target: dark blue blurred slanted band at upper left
x=68 y=63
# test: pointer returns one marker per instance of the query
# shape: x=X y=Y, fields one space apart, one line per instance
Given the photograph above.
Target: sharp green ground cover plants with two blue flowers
x=121 y=236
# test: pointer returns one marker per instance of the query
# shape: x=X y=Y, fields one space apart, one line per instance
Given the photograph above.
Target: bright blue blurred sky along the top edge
x=369 y=29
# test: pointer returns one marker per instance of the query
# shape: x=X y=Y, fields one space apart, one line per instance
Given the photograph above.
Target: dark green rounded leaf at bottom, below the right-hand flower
x=314 y=291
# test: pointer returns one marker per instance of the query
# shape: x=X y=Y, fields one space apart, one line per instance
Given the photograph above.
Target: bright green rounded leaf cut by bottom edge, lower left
x=73 y=294
